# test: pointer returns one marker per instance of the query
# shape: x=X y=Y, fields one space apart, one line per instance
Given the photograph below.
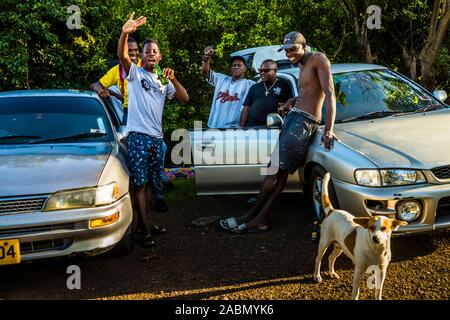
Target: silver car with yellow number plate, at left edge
x=63 y=176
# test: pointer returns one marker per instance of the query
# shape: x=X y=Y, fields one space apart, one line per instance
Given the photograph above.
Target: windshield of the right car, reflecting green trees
x=378 y=93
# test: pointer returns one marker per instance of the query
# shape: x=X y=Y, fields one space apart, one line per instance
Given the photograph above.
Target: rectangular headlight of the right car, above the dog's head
x=388 y=177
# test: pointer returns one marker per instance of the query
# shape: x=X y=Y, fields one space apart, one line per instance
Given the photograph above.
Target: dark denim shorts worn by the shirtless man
x=294 y=140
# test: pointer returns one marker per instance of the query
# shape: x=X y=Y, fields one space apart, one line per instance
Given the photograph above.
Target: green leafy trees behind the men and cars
x=37 y=50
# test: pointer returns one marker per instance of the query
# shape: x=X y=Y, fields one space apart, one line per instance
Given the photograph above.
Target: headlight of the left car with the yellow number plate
x=83 y=198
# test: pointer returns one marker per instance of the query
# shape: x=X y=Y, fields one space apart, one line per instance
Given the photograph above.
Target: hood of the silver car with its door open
x=413 y=141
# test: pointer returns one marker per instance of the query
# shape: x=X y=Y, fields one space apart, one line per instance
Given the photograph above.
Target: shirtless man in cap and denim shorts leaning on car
x=315 y=84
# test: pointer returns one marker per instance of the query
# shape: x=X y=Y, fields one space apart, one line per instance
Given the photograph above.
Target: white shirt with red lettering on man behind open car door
x=228 y=98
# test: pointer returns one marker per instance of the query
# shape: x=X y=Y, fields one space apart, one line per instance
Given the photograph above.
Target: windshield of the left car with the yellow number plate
x=54 y=119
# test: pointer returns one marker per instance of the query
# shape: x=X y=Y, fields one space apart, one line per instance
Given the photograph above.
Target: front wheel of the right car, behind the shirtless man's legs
x=315 y=193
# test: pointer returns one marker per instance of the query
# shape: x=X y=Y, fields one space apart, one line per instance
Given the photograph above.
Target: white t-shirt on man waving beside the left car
x=146 y=97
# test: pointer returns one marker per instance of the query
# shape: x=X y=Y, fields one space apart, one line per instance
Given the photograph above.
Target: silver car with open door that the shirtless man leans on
x=392 y=157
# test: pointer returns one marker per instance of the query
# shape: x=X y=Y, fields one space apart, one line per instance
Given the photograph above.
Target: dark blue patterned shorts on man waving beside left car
x=146 y=158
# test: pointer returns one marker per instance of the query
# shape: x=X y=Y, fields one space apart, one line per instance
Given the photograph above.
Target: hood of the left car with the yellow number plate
x=44 y=169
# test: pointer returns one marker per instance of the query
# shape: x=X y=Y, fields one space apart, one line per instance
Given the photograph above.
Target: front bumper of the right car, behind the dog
x=434 y=199
